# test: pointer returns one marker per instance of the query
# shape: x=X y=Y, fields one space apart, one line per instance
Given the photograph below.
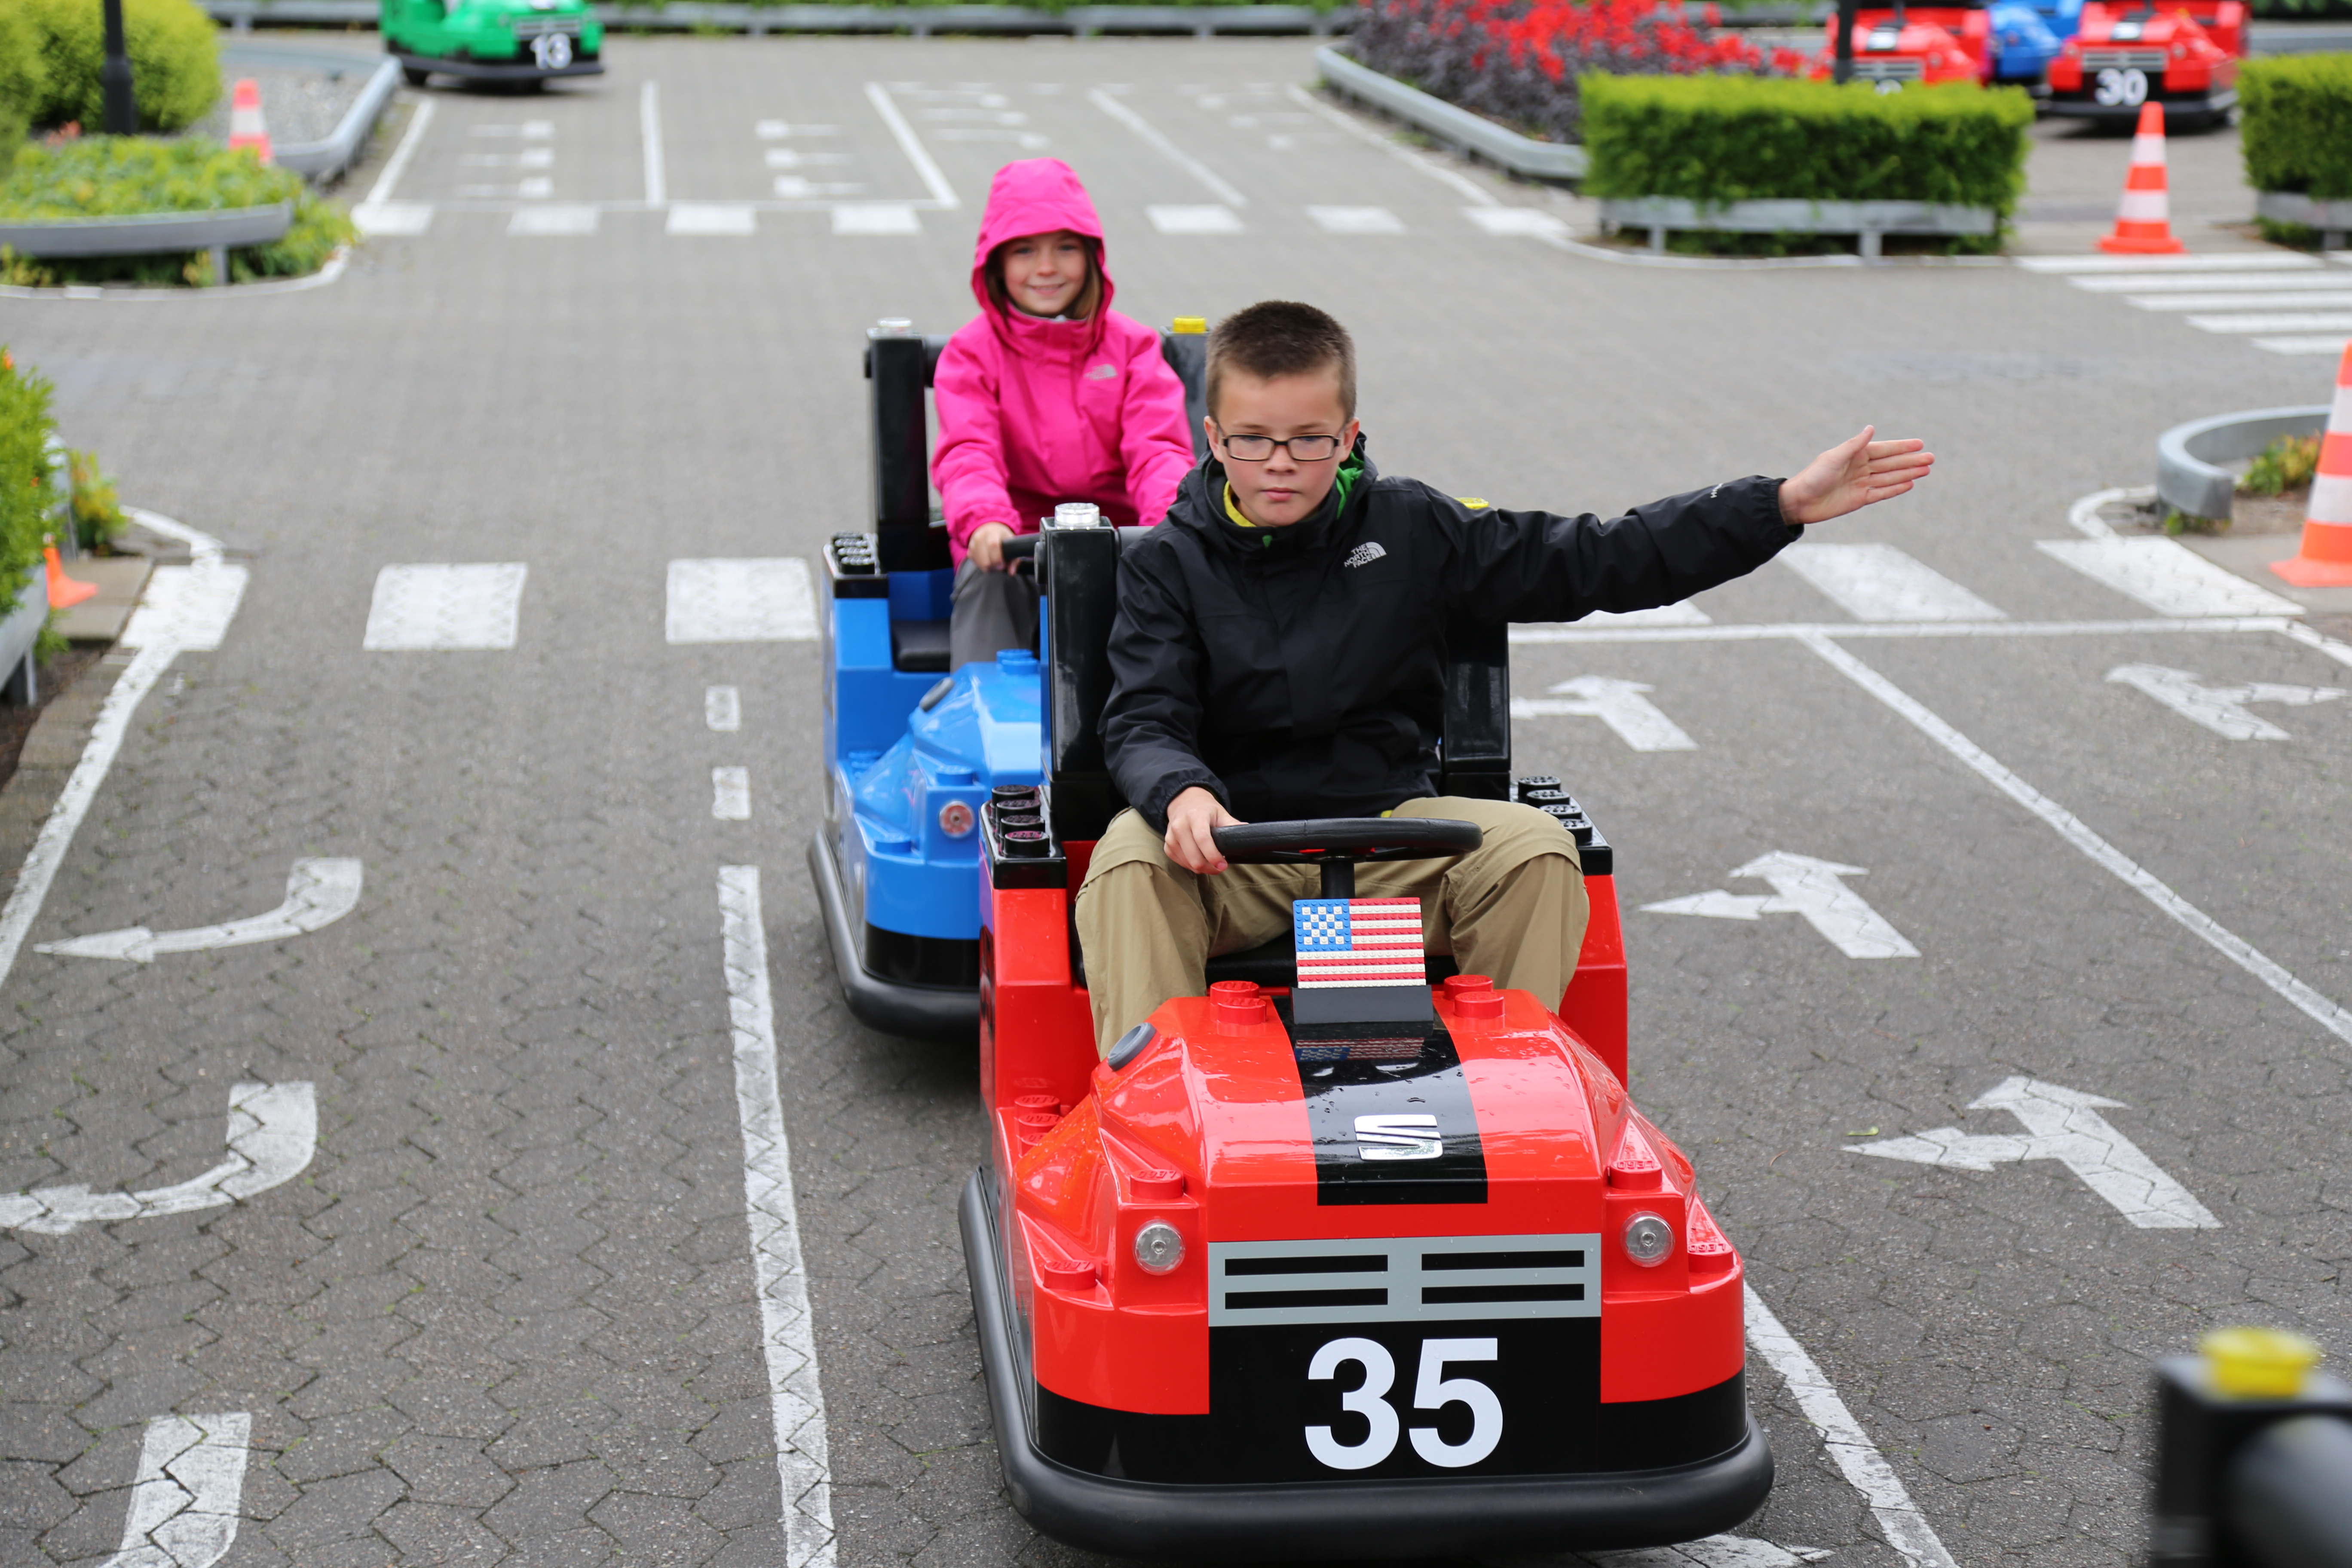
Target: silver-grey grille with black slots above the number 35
x=1403 y=1280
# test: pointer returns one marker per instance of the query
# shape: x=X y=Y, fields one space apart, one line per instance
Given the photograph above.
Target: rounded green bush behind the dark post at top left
x=175 y=62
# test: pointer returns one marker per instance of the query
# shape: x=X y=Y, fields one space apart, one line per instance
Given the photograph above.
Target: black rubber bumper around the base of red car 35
x=1335 y=1520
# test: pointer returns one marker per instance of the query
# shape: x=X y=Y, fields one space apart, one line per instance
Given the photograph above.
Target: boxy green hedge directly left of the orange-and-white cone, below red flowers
x=1735 y=140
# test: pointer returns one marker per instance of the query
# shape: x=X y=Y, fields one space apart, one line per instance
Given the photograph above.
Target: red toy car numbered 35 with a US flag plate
x=1299 y=1275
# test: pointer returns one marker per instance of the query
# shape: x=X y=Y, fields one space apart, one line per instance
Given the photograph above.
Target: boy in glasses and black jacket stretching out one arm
x=1278 y=655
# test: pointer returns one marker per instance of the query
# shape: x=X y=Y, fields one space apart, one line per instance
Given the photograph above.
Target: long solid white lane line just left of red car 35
x=787 y=1329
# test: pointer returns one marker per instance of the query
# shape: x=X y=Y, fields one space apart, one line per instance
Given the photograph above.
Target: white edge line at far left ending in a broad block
x=185 y=610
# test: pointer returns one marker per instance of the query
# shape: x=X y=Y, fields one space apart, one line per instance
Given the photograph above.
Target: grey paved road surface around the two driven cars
x=509 y=1311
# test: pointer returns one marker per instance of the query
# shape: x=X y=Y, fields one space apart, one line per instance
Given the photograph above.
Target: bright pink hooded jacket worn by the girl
x=1034 y=413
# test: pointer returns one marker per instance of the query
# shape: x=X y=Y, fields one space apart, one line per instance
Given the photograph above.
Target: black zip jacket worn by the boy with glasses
x=1299 y=671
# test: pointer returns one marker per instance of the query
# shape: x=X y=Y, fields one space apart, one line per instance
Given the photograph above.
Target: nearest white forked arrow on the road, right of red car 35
x=2062 y=1125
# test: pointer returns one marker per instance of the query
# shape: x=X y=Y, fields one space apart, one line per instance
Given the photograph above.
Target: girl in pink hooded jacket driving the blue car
x=1048 y=396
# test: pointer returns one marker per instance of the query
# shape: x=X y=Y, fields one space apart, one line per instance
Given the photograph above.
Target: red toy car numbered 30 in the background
x=2181 y=58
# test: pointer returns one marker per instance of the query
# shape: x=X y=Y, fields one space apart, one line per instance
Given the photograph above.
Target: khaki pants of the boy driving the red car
x=1514 y=909
